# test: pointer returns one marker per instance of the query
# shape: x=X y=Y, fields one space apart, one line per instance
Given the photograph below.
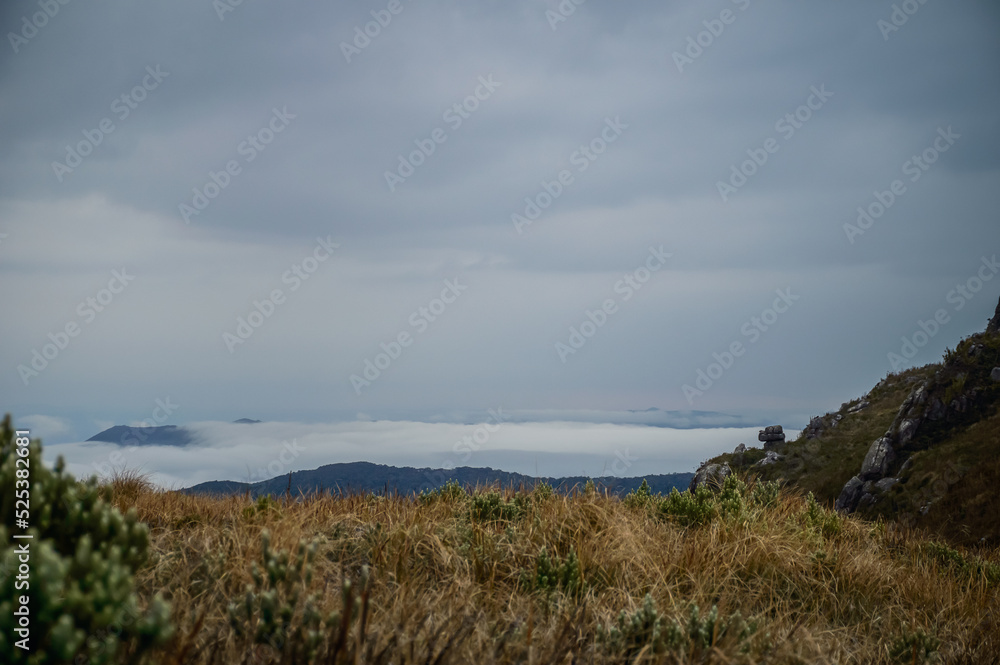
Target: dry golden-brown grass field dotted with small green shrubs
x=747 y=575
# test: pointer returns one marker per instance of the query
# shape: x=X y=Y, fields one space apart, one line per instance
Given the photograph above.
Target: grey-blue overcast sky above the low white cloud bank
x=529 y=205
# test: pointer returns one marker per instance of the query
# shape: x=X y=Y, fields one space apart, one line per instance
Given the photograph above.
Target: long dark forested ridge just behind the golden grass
x=361 y=477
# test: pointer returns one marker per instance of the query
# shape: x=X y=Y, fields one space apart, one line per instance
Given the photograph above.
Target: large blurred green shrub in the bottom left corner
x=83 y=555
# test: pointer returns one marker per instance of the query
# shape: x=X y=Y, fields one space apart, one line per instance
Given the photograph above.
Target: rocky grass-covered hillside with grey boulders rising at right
x=922 y=447
